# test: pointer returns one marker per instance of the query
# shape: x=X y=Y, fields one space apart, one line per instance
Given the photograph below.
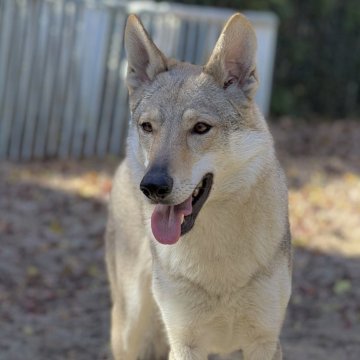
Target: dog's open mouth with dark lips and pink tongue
x=169 y=222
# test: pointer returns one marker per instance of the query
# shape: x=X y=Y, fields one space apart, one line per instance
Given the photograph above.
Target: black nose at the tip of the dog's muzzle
x=156 y=185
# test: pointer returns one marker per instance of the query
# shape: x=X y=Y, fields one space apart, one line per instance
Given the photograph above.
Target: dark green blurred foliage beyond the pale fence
x=317 y=69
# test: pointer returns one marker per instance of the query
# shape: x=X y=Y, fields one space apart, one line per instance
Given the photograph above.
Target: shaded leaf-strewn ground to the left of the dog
x=53 y=291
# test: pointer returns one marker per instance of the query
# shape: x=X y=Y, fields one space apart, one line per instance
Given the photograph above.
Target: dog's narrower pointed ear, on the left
x=145 y=60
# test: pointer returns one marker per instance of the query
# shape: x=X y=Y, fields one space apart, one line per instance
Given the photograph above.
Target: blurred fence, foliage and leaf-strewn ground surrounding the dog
x=63 y=120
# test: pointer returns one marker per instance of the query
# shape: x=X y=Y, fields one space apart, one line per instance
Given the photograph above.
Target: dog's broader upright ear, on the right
x=233 y=60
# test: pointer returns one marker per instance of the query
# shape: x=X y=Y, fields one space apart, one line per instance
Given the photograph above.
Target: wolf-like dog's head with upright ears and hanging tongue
x=195 y=131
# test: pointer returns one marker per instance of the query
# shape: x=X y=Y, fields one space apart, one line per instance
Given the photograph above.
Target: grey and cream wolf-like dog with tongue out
x=198 y=246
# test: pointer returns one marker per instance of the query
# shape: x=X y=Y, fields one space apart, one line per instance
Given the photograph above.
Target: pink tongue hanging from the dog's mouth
x=166 y=221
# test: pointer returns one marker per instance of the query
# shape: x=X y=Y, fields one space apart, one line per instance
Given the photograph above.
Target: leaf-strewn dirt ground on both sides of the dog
x=54 y=301
